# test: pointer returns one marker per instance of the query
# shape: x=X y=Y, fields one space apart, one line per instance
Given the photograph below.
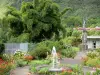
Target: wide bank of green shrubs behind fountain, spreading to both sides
x=40 y=50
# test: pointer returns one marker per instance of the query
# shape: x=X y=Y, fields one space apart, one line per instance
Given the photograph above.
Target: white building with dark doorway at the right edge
x=93 y=42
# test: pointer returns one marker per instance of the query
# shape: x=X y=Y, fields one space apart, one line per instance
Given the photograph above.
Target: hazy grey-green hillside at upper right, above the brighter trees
x=89 y=8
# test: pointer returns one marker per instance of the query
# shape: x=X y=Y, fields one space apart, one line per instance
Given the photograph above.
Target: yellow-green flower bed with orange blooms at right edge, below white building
x=92 y=59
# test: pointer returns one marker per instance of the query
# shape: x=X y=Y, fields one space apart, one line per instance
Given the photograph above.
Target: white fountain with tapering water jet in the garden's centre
x=55 y=67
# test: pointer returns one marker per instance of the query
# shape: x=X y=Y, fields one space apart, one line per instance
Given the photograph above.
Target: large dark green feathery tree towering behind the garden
x=36 y=21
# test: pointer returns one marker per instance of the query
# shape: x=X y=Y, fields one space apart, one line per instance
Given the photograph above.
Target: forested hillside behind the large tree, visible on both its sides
x=88 y=8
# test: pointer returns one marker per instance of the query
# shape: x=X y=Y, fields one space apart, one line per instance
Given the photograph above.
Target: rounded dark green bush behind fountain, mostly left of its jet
x=40 y=50
